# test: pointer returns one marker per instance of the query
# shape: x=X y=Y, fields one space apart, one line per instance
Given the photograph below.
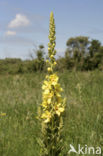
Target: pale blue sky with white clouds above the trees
x=24 y=24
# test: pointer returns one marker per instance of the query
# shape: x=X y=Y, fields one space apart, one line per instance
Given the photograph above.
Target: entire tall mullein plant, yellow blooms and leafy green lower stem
x=53 y=106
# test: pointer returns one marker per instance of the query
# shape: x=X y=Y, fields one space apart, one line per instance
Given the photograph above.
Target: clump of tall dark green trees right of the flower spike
x=83 y=54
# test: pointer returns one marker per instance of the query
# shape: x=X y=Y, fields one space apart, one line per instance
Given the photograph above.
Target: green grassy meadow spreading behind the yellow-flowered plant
x=20 y=96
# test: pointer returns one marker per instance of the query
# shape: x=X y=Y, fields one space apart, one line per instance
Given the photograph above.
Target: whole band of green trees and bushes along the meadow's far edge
x=81 y=54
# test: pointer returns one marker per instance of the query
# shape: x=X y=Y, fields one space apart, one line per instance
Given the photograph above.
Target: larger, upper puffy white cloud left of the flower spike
x=19 y=21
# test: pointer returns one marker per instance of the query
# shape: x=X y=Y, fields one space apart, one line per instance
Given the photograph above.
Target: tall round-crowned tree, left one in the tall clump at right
x=77 y=49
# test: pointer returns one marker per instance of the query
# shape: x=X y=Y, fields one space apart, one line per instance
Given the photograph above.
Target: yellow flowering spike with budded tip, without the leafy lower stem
x=52 y=100
